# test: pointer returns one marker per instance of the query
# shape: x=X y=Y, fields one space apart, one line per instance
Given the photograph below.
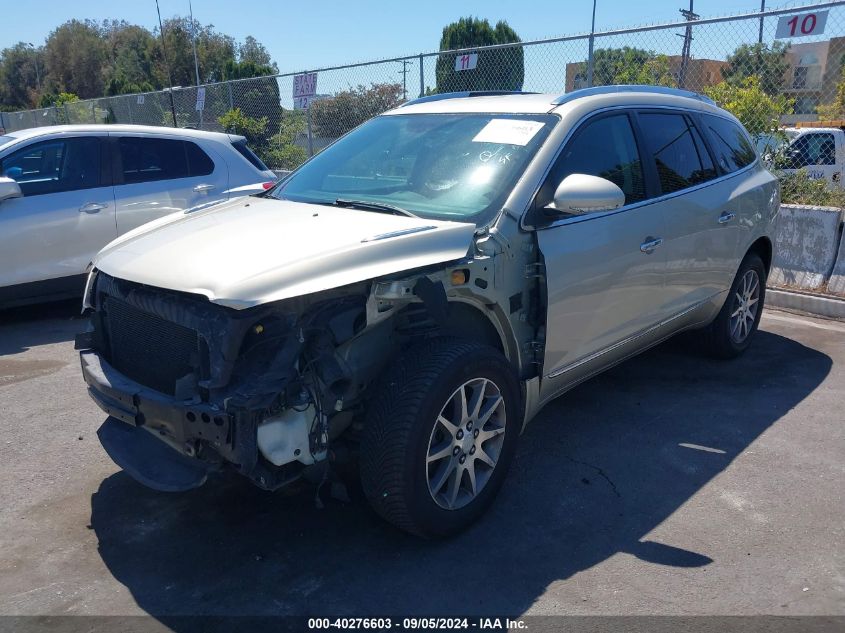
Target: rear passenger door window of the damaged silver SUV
x=677 y=151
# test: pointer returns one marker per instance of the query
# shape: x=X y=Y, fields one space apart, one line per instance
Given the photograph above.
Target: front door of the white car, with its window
x=66 y=213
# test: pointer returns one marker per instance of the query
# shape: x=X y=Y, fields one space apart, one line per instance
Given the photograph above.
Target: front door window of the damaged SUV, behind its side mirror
x=606 y=148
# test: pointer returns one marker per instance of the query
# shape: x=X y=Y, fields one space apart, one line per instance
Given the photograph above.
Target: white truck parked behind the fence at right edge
x=818 y=147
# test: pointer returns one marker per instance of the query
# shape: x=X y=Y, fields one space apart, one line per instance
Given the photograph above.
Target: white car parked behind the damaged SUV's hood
x=67 y=191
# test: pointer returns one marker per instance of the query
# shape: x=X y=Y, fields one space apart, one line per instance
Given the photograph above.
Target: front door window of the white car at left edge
x=55 y=166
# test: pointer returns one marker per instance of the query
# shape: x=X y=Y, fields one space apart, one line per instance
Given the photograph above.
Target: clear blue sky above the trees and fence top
x=307 y=34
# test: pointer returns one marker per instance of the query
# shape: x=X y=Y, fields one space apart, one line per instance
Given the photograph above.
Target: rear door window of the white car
x=148 y=159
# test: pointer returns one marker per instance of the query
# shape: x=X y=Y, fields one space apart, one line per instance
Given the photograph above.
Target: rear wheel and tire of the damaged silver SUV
x=732 y=331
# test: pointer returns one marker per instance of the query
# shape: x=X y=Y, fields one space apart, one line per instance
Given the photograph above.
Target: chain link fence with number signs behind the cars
x=770 y=68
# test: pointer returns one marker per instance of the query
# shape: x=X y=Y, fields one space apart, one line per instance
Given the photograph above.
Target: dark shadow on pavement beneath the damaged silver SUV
x=597 y=471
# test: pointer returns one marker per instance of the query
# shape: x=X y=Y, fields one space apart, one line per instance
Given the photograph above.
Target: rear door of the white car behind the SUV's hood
x=156 y=175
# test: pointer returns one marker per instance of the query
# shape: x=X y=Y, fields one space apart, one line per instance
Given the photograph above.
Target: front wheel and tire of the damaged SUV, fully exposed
x=440 y=436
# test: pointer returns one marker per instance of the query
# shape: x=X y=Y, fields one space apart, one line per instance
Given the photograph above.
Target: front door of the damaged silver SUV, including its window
x=604 y=271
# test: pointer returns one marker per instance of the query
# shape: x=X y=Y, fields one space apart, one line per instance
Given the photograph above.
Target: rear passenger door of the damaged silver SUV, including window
x=701 y=211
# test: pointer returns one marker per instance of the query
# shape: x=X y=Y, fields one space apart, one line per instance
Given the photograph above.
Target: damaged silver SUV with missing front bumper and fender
x=410 y=297
